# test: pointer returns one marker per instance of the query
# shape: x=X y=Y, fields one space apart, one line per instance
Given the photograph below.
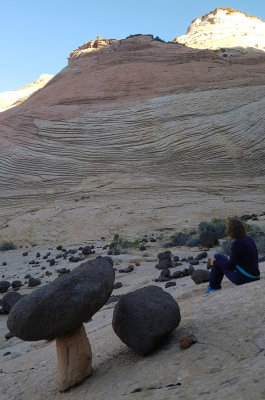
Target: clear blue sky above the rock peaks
x=37 y=36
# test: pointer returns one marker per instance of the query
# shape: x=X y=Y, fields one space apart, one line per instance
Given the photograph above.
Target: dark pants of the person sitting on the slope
x=235 y=276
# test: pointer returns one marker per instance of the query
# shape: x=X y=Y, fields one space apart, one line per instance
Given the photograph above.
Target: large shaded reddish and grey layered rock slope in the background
x=136 y=136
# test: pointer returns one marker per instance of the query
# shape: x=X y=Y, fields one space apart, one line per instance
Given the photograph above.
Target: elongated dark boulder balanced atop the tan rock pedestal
x=63 y=305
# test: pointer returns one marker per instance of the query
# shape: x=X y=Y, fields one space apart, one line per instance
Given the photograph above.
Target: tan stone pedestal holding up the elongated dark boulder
x=74 y=358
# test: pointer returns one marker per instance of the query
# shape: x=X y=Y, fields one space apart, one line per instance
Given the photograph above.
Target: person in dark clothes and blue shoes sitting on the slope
x=242 y=265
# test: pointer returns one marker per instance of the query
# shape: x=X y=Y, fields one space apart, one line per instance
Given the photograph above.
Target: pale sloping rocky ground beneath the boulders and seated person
x=227 y=362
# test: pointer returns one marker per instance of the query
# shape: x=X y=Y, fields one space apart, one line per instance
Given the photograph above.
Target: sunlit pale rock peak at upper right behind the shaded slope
x=225 y=27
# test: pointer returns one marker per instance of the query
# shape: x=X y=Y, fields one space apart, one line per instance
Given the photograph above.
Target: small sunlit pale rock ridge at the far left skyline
x=15 y=97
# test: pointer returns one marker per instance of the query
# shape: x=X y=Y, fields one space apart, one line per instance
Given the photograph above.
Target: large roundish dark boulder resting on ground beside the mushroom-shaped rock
x=143 y=319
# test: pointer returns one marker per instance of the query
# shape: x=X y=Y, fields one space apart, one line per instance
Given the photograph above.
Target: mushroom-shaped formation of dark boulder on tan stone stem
x=59 y=309
